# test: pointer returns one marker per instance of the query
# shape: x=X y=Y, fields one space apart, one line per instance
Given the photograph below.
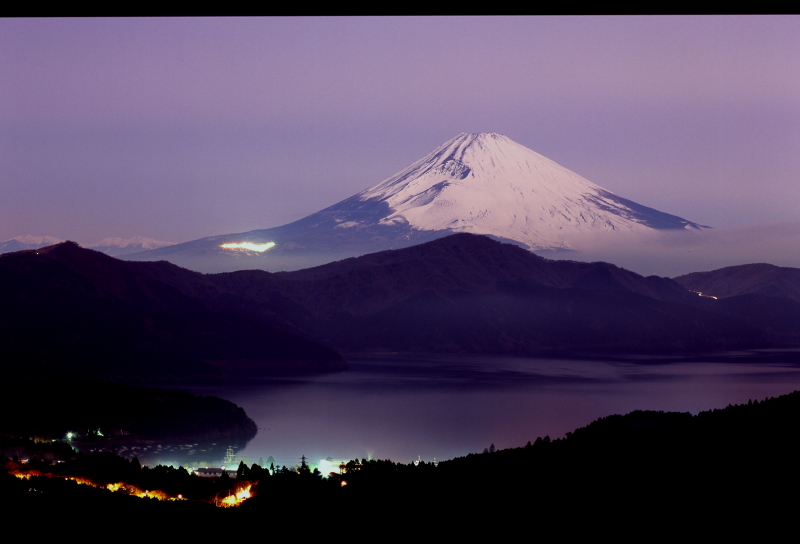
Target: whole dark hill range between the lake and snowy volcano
x=71 y=311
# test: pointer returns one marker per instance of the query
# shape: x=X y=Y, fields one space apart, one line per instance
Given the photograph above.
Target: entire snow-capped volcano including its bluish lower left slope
x=477 y=183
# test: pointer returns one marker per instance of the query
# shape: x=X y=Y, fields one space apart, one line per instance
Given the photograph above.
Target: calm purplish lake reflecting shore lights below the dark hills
x=402 y=407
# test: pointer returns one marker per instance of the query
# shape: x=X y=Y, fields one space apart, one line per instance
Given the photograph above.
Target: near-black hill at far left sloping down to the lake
x=68 y=311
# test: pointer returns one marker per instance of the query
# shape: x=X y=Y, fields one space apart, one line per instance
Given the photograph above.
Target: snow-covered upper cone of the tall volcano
x=488 y=184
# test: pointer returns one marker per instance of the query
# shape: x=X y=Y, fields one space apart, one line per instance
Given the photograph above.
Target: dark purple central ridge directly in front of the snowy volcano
x=468 y=293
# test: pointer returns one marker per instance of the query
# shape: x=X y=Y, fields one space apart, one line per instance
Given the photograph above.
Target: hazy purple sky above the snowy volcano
x=177 y=129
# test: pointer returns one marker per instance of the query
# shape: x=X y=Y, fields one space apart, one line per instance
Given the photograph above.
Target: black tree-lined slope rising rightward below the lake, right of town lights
x=642 y=472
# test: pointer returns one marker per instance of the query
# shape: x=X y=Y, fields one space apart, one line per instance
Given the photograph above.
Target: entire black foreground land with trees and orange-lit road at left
x=620 y=473
